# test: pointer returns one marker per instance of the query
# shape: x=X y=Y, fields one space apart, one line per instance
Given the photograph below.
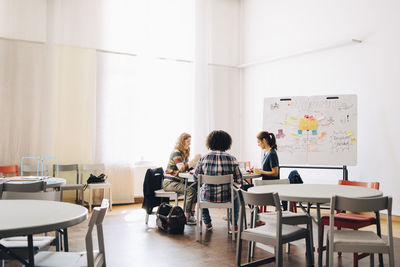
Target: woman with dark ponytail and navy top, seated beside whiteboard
x=270 y=162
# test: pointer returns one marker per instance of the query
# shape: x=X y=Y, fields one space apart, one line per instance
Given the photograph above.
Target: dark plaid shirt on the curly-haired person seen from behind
x=217 y=163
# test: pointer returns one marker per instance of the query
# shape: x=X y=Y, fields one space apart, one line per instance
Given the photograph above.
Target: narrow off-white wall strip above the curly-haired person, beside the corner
x=223 y=75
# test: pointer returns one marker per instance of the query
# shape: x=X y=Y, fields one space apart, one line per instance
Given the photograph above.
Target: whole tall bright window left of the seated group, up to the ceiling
x=144 y=79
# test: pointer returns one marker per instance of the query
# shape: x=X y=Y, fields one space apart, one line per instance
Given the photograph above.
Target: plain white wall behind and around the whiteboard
x=370 y=70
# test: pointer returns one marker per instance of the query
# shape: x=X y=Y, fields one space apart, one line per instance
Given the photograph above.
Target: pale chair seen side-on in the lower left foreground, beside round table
x=90 y=258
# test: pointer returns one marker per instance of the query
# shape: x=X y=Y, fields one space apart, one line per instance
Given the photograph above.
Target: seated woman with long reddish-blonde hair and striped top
x=178 y=162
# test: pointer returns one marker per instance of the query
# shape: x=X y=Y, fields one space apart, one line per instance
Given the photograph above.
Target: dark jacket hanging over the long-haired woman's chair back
x=152 y=182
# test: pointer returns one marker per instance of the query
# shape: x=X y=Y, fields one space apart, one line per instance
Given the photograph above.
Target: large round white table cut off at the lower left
x=28 y=217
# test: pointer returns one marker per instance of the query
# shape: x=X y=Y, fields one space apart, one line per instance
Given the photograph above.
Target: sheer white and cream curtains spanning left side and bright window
x=95 y=81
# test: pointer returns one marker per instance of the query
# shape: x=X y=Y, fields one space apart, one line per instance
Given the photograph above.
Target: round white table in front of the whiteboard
x=318 y=194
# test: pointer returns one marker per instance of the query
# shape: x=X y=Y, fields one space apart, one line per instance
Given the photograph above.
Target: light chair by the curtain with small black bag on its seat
x=96 y=169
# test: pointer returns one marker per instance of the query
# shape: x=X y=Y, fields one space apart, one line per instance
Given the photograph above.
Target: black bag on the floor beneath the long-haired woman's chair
x=171 y=219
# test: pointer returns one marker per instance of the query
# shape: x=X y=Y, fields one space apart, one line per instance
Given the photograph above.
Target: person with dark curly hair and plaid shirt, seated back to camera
x=218 y=162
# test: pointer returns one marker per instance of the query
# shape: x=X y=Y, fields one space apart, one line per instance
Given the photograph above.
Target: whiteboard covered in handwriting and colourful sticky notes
x=315 y=130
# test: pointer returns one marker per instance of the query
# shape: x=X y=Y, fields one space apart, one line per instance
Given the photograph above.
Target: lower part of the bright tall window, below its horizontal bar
x=142 y=107
